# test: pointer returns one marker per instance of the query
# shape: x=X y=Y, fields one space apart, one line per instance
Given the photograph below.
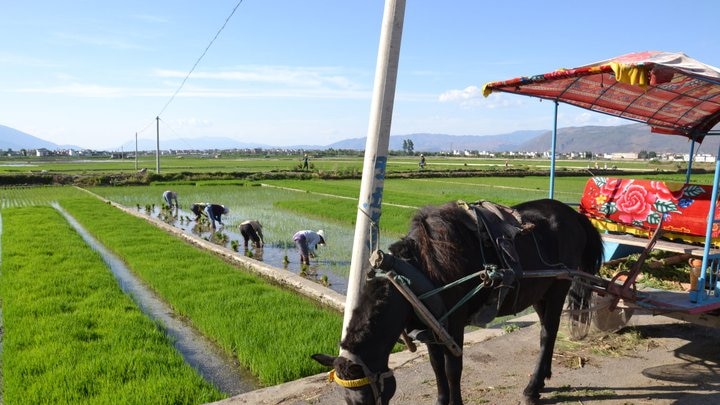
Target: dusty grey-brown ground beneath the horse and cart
x=656 y=361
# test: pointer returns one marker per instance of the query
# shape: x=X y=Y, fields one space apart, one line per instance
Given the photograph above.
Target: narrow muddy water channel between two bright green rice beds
x=200 y=353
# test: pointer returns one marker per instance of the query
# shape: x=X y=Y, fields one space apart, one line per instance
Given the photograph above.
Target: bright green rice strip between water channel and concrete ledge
x=246 y=316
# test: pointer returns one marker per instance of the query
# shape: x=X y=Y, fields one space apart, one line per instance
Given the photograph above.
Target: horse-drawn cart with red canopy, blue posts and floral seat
x=676 y=96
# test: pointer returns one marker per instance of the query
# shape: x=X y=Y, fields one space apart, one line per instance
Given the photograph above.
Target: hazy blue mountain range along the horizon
x=596 y=139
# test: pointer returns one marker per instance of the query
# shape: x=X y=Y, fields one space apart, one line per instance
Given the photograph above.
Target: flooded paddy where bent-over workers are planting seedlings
x=330 y=268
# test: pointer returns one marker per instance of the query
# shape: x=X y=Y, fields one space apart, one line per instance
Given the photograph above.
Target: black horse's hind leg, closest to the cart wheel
x=549 y=311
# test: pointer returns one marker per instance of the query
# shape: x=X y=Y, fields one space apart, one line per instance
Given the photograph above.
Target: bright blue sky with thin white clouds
x=285 y=72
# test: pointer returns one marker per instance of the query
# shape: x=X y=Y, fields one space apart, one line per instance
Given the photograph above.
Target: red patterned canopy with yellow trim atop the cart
x=671 y=92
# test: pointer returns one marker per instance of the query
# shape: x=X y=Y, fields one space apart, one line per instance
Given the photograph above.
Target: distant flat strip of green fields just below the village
x=323 y=162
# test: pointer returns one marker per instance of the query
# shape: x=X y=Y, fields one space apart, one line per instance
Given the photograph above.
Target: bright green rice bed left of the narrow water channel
x=70 y=334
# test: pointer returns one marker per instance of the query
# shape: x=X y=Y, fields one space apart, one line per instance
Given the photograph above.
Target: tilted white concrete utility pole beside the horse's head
x=376 y=150
